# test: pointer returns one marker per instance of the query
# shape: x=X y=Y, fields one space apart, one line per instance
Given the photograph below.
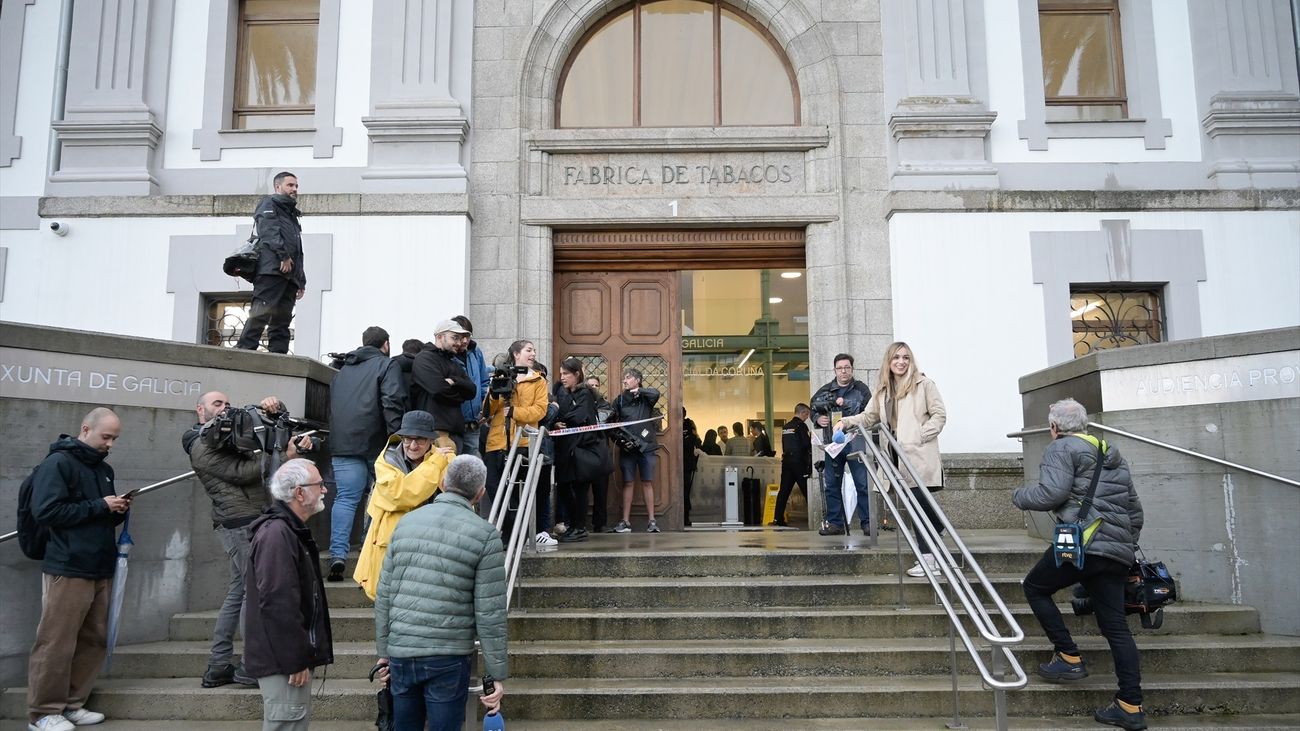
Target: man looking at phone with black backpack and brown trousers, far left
x=75 y=499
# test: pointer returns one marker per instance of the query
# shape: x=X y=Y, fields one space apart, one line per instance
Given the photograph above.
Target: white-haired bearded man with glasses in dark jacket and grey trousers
x=287 y=628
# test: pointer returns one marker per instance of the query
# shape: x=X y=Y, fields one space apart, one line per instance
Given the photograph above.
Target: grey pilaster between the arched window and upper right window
x=939 y=124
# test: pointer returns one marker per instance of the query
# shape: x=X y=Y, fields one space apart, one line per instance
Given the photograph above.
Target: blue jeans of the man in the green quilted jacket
x=430 y=689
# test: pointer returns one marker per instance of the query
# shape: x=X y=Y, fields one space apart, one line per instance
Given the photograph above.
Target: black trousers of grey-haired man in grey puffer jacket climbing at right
x=1106 y=583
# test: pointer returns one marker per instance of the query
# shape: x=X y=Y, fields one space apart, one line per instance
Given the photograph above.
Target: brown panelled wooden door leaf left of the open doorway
x=618 y=321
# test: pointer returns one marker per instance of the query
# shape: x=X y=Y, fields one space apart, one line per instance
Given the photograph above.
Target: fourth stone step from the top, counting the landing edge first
x=709 y=659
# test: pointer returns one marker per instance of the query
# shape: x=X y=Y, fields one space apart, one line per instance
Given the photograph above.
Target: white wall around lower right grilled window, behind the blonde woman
x=965 y=300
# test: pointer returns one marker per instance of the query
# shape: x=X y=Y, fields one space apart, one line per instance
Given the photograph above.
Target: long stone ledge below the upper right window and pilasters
x=1110 y=201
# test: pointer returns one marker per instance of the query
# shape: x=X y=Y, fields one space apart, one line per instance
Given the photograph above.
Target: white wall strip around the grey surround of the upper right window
x=1007 y=94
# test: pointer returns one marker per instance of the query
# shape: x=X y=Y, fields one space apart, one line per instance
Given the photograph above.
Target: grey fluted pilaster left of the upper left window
x=118 y=75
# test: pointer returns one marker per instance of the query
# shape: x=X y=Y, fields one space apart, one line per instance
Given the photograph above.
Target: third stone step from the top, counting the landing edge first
x=772 y=624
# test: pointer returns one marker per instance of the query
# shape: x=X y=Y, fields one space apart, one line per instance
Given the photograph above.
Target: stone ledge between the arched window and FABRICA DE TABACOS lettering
x=681 y=140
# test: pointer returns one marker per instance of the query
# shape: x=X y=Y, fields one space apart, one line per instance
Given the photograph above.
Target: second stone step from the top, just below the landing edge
x=736 y=591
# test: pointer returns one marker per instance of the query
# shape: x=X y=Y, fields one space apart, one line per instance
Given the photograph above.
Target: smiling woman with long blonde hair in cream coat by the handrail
x=909 y=405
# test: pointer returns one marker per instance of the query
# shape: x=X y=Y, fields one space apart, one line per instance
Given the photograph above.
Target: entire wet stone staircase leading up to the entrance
x=747 y=631
